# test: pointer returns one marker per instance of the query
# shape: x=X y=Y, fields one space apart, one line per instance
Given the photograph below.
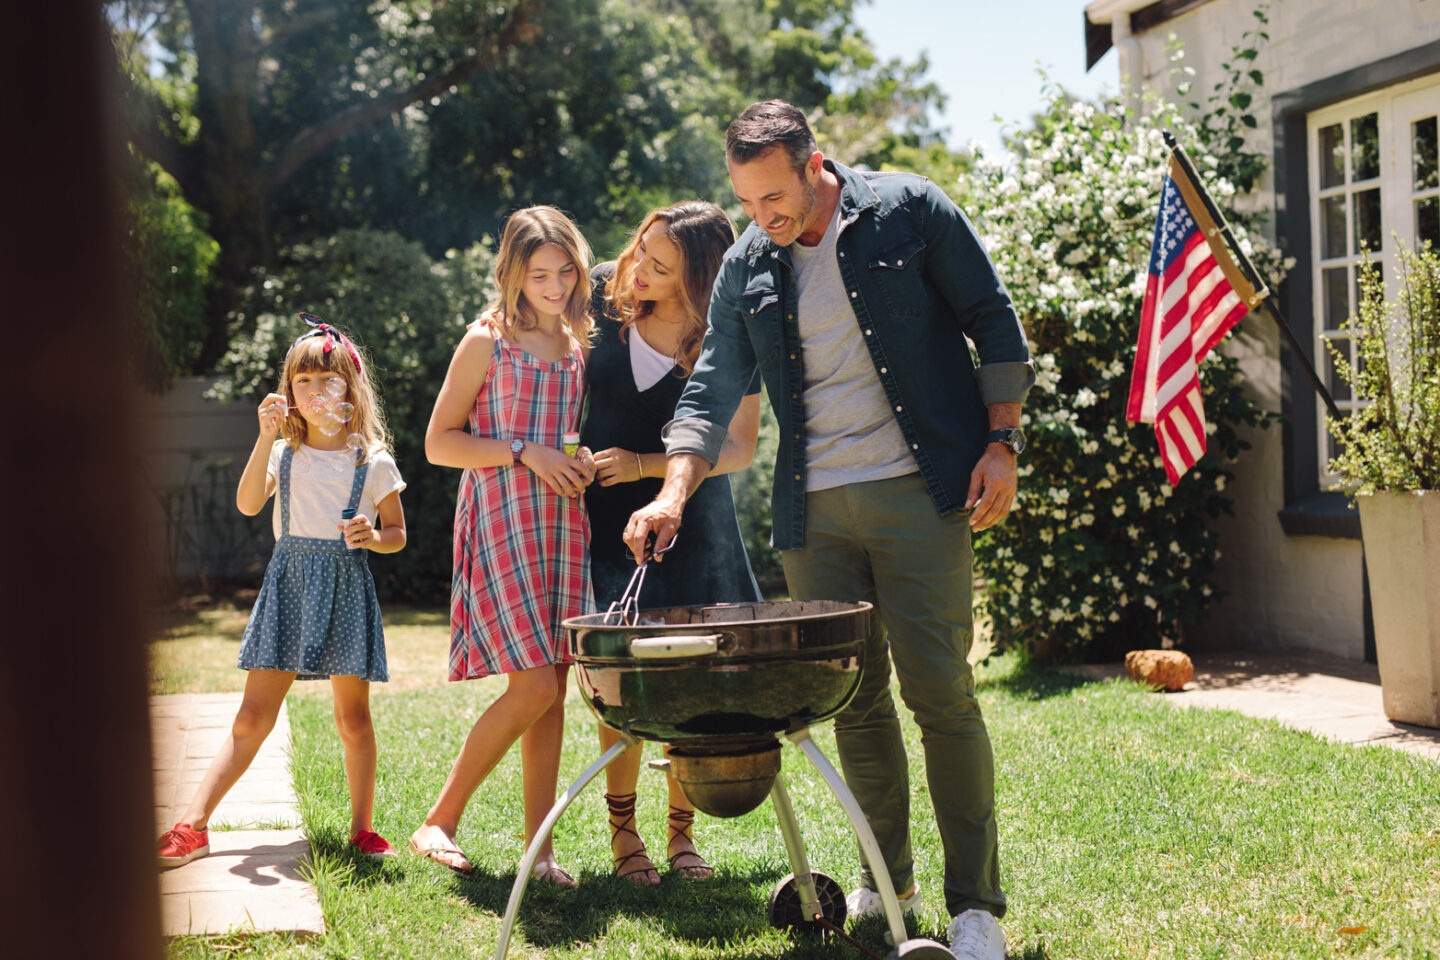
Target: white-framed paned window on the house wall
x=1374 y=181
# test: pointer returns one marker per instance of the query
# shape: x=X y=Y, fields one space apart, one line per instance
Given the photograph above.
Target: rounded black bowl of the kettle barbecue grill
x=724 y=671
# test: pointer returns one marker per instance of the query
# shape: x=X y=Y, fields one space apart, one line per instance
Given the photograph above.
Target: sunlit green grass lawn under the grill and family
x=1128 y=830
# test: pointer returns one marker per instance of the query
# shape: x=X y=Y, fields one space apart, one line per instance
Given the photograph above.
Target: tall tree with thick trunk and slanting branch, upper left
x=254 y=90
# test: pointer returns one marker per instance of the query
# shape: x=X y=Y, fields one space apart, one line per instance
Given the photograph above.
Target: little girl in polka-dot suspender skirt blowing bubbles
x=318 y=614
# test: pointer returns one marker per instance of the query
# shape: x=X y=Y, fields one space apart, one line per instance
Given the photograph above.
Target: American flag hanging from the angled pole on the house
x=1194 y=296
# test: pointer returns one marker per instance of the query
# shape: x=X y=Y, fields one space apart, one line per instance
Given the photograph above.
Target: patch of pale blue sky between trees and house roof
x=984 y=55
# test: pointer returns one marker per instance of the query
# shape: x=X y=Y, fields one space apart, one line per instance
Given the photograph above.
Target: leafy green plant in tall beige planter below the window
x=1390 y=463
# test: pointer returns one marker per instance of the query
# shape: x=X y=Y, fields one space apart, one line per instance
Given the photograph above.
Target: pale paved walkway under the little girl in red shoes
x=251 y=882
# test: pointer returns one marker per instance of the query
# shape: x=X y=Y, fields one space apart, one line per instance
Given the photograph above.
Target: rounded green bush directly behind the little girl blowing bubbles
x=408 y=312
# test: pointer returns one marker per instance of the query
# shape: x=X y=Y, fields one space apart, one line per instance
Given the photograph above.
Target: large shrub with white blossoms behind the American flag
x=1101 y=553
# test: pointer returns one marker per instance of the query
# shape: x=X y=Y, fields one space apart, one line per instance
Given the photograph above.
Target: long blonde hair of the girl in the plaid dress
x=526 y=232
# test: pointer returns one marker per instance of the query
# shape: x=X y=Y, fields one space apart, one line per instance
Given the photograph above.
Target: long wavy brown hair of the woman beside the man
x=703 y=234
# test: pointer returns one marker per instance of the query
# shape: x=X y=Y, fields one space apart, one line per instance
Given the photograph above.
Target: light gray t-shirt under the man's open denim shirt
x=850 y=434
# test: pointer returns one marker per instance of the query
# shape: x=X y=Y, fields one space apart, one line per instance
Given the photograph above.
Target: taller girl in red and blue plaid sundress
x=521 y=533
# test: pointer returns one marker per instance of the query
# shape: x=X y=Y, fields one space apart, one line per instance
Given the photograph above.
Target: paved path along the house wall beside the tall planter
x=1330 y=697
